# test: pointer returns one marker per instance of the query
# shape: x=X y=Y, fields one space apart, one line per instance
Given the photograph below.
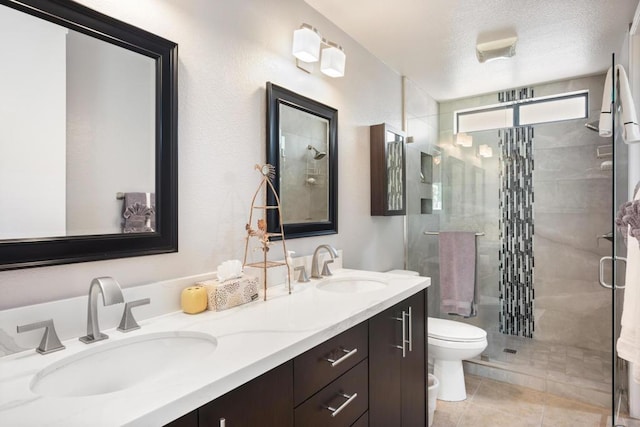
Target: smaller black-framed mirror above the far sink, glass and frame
x=302 y=143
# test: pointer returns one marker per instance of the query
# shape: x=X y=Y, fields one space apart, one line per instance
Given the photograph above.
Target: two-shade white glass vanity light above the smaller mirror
x=307 y=45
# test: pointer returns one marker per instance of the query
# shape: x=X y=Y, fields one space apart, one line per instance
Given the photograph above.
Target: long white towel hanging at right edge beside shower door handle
x=628 y=344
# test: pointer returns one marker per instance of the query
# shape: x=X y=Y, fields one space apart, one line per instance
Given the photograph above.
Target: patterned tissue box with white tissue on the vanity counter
x=230 y=293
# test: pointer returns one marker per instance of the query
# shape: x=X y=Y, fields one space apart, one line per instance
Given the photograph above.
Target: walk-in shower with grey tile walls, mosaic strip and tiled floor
x=554 y=334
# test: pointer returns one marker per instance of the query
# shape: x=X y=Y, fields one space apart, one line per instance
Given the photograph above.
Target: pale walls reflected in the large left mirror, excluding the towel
x=95 y=110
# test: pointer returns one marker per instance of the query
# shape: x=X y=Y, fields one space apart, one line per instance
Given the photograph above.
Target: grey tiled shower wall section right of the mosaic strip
x=573 y=208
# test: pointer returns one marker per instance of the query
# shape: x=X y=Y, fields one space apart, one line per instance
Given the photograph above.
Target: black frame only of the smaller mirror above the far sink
x=277 y=95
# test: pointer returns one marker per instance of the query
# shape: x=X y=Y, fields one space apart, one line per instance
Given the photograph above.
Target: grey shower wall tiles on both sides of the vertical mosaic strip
x=572 y=208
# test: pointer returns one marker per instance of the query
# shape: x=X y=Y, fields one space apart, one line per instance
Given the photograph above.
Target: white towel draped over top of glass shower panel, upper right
x=630 y=127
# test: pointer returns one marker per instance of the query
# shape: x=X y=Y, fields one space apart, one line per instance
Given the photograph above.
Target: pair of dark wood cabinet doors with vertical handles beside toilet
x=397 y=365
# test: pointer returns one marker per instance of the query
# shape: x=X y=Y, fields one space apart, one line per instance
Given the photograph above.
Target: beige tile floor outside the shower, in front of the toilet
x=492 y=403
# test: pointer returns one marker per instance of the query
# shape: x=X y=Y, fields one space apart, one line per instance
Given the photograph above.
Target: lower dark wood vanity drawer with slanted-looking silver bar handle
x=340 y=403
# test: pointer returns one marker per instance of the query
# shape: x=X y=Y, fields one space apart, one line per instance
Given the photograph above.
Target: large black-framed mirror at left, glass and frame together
x=88 y=152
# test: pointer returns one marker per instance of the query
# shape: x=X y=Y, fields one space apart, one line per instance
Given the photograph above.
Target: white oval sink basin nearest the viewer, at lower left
x=121 y=364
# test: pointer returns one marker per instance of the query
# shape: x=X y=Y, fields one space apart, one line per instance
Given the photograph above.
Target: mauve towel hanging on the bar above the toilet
x=458 y=273
